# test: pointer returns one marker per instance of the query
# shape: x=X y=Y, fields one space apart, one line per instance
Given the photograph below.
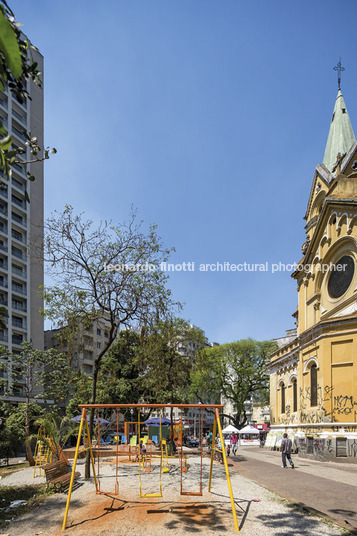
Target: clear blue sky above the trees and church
x=209 y=117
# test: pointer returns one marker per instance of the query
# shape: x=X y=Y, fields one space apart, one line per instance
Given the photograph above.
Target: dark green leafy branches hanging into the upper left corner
x=16 y=68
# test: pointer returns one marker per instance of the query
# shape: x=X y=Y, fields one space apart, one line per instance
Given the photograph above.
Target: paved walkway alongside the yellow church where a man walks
x=327 y=488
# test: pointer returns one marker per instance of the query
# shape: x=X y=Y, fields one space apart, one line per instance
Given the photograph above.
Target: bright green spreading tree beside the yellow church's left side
x=235 y=371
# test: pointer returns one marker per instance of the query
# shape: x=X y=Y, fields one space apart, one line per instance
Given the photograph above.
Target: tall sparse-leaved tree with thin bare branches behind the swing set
x=105 y=273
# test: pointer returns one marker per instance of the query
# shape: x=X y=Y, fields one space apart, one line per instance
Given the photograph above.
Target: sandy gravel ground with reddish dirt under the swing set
x=260 y=512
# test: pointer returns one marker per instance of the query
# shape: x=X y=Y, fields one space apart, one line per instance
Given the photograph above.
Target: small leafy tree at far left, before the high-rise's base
x=38 y=375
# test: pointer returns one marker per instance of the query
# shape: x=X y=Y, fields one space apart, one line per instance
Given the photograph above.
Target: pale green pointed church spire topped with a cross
x=341 y=136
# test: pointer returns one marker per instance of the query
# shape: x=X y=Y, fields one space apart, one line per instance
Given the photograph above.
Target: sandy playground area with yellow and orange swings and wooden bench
x=141 y=486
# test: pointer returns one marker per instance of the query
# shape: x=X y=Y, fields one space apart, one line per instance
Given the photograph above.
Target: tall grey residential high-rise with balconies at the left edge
x=21 y=227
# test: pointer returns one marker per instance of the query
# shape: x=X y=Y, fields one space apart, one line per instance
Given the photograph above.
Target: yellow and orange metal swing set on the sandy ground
x=183 y=461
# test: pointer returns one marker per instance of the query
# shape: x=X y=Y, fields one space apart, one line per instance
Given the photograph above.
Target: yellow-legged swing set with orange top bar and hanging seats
x=145 y=457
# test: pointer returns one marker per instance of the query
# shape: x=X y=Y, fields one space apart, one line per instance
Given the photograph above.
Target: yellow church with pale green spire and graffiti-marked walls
x=313 y=373
